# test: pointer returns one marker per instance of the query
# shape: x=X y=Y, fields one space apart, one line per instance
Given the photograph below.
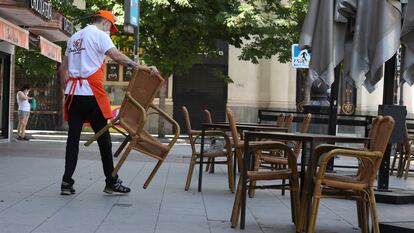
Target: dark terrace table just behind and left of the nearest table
x=226 y=126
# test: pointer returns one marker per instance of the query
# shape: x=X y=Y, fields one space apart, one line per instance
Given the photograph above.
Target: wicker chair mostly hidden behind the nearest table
x=278 y=160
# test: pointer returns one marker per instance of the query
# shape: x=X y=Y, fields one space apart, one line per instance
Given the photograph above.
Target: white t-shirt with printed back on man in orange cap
x=86 y=53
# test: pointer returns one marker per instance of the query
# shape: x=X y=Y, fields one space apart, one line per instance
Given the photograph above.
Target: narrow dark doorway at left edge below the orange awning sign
x=4 y=95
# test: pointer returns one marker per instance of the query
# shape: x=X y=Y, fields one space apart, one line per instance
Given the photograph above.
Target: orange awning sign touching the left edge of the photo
x=14 y=34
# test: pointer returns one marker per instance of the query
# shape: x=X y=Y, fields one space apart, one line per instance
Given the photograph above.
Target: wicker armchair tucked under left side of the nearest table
x=289 y=173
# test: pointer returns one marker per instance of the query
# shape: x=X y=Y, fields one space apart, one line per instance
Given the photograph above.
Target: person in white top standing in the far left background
x=23 y=111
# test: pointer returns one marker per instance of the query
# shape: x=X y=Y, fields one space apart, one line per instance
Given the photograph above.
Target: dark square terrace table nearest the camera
x=307 y=185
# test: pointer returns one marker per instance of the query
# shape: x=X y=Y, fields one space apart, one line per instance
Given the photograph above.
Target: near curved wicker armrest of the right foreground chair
x=358 y=154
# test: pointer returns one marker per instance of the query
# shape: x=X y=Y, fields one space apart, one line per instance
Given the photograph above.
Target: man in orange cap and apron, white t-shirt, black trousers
x=86 y=100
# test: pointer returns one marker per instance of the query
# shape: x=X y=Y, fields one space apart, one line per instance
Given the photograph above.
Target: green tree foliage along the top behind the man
x=174 y=33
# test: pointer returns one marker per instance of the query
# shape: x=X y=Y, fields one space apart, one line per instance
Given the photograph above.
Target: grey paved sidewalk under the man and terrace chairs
x=30 y=202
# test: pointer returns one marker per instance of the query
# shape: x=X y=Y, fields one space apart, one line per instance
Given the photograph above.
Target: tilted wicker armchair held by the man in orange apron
x=132 y=117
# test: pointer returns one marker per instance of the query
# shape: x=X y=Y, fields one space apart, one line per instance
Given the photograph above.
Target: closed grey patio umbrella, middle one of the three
x=375 y=28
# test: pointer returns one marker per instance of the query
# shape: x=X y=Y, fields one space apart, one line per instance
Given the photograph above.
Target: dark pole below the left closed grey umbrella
x=333 y=109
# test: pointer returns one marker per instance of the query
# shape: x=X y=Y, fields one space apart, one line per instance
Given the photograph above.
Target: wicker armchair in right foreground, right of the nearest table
x=358 y=187
